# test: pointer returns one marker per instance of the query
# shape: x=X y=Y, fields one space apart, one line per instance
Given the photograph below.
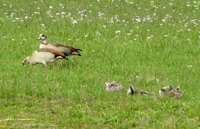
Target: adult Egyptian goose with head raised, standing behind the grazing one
x=67 y=50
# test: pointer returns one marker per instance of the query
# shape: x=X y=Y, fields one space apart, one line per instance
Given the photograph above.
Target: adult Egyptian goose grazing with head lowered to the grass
x=44 y=56
